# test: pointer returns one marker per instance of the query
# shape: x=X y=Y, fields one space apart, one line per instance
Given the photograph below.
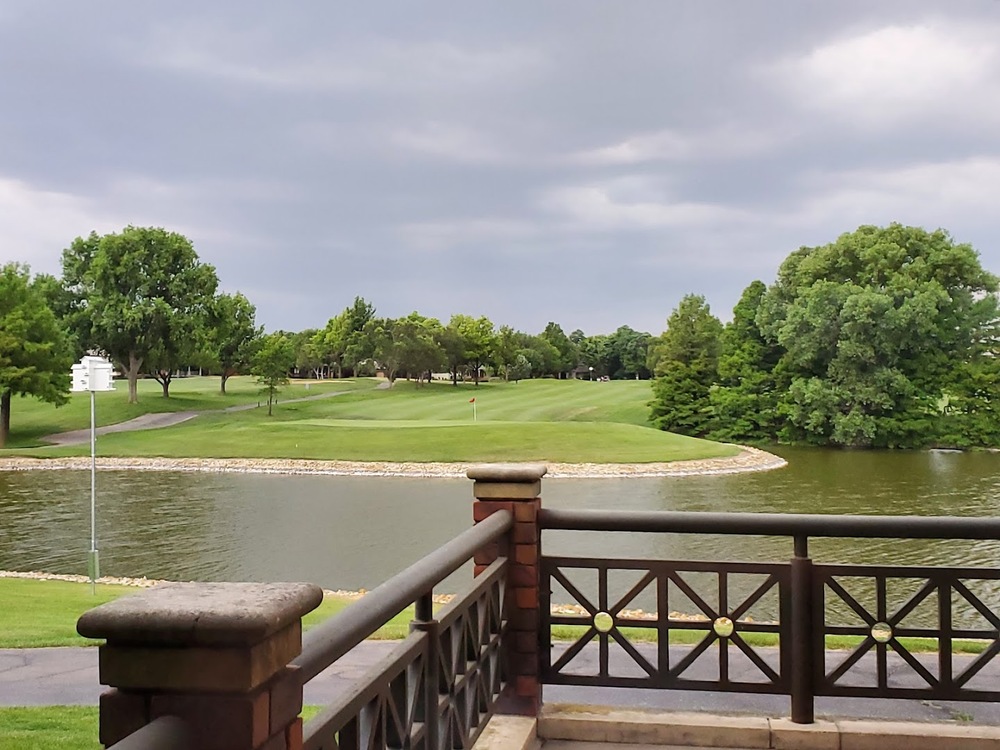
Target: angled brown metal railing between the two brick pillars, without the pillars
x=438 y=687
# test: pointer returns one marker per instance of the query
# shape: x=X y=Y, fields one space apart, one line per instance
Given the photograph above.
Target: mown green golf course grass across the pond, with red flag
x=566 y=422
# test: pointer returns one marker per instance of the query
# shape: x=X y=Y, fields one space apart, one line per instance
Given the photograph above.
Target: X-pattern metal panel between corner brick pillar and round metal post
x=723 y=624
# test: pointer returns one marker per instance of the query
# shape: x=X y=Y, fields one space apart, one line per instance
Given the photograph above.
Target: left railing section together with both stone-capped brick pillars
x=224 y=665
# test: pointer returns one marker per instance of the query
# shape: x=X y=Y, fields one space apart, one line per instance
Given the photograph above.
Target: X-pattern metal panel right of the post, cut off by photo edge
x=882 y=624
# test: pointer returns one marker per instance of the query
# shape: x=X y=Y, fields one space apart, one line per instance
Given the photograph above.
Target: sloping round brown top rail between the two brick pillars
x=327 y=642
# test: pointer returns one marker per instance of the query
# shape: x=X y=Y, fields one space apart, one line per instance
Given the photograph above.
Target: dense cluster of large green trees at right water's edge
x=885 y=338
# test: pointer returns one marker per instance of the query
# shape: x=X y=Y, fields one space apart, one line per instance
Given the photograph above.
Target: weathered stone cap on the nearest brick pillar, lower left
x=201 y=614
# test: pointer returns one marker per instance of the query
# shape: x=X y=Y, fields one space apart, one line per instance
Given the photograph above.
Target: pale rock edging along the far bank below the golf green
x=748 y=459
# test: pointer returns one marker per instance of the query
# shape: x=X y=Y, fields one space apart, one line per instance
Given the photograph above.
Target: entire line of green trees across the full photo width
x=885 y=338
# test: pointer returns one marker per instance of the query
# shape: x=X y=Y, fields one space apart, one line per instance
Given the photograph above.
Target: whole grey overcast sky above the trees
x=583 y=162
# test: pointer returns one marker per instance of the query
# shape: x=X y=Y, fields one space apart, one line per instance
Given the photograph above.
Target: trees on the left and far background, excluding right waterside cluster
x=143 y=298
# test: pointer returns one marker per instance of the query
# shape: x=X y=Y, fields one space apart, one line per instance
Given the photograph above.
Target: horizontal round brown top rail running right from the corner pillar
x=774 y=524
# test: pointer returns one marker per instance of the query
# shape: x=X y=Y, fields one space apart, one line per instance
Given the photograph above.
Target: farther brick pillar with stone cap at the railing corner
x=517 y=488
